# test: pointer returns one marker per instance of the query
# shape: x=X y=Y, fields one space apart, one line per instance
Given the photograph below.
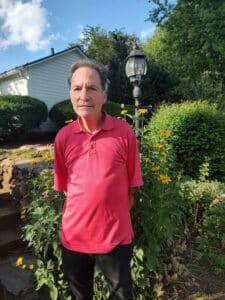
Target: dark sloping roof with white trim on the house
x=53 y=55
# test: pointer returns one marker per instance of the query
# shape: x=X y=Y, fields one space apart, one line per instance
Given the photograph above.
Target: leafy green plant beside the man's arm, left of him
x=41 y=231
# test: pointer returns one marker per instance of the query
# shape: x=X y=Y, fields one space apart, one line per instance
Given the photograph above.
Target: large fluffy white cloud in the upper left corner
x=24 y=23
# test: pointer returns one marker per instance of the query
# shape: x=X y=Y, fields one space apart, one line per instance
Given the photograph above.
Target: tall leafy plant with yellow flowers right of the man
x=157 y=213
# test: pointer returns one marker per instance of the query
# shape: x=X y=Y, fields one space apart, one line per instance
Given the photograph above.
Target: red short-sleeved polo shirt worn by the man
x=96 y=171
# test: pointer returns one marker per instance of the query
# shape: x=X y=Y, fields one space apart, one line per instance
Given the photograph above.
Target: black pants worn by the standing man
x=78 y=269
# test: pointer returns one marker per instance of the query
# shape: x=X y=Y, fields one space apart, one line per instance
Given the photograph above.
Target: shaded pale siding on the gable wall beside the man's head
x=48 y=80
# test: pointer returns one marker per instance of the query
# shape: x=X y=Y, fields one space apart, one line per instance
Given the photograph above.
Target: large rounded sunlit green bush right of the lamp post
x=197 y=136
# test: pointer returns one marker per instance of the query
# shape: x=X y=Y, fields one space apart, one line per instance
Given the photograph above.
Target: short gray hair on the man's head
x=93 y=64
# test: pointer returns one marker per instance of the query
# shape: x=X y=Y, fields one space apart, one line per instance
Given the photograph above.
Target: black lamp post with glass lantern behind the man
x=136 y=68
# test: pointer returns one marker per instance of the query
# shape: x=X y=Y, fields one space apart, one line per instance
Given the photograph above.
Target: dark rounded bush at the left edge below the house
x=20 y=113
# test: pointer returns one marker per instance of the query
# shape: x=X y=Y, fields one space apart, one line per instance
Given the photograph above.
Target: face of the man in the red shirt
x=86 y=93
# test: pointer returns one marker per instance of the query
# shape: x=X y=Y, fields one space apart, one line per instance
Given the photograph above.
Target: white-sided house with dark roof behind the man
x=44 y=79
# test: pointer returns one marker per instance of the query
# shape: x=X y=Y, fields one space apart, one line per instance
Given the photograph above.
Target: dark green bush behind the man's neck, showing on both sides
x=63 y=111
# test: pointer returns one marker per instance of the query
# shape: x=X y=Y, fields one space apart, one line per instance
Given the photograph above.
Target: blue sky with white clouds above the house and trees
x=30 y=28
